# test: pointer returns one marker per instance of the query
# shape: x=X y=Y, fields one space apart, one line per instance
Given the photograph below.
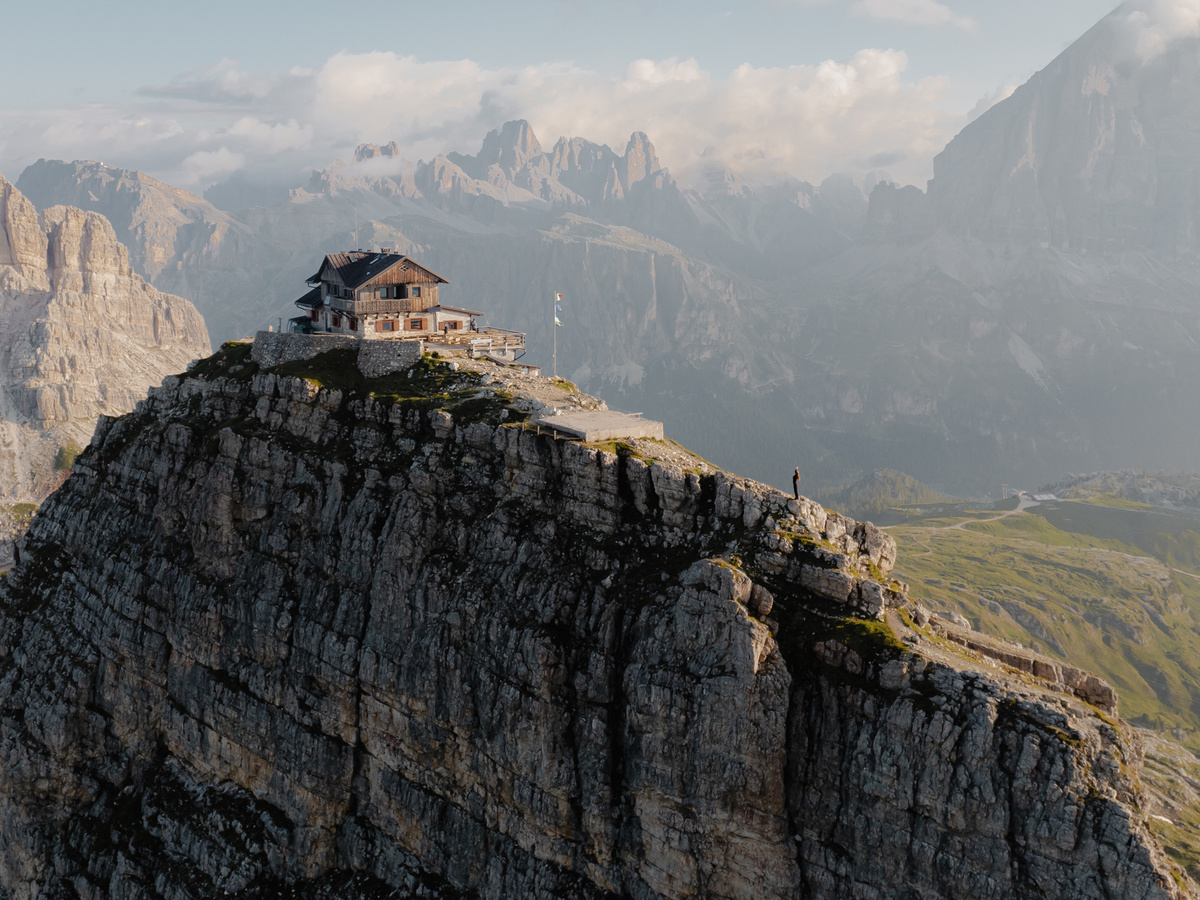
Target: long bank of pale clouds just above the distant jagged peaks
x=206 y=125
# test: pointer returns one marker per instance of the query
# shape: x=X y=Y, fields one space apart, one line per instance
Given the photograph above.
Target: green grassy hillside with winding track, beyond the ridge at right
x=1108 y=585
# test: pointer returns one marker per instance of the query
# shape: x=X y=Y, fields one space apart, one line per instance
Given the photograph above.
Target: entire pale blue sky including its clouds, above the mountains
x=79 y=81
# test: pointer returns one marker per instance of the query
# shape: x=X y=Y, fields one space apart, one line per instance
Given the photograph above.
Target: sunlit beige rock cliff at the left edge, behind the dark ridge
x=81 y=335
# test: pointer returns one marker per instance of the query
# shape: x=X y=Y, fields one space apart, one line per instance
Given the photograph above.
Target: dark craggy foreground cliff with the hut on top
x=301 y=633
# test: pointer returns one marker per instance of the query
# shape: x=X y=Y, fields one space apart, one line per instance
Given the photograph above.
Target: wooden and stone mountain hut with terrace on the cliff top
x=387 y=296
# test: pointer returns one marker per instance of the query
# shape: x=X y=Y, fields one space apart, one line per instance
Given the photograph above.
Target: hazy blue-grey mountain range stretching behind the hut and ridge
x=1034 y=313
